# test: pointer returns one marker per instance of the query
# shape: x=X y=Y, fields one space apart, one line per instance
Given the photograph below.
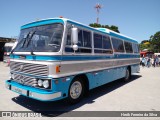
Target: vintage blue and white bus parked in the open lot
x=59 y=58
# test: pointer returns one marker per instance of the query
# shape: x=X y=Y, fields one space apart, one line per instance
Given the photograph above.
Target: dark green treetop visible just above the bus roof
x=112 y=27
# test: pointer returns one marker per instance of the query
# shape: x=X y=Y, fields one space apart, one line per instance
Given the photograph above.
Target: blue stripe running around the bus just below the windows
x=73 y=58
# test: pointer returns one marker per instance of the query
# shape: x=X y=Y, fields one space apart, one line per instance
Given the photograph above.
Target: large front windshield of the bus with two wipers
x=45 y=38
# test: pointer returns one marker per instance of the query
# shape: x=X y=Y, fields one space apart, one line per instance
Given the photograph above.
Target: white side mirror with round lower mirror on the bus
x=74 y=37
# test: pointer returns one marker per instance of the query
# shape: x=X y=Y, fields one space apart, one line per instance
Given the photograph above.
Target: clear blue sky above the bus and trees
x=138 y=19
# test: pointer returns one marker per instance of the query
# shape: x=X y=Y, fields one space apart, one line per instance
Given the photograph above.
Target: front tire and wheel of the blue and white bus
x=76 y=91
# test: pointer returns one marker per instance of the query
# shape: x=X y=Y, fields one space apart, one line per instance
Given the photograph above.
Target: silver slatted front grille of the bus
x=29 y=68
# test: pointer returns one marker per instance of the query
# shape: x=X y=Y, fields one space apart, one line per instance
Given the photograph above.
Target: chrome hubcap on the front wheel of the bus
x=75 y=90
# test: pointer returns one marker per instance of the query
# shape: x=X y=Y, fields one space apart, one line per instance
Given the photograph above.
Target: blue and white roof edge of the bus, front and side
x=63 y=20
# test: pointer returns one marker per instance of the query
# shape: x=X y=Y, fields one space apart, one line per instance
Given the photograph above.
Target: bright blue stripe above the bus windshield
x=43 y=22
